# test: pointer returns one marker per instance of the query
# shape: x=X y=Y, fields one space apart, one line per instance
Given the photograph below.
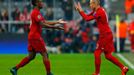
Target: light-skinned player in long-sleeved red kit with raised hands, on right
x=105 y=42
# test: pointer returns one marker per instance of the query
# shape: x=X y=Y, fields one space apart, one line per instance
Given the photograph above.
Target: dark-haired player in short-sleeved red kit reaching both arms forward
x=35 y=41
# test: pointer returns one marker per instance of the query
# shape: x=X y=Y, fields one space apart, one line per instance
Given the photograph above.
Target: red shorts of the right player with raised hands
x=105 y=43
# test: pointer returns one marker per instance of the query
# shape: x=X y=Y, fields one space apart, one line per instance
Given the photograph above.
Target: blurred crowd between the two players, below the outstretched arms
x=77 y=37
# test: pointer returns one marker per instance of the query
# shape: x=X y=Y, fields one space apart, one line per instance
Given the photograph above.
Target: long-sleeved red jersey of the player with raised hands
x=101 y=19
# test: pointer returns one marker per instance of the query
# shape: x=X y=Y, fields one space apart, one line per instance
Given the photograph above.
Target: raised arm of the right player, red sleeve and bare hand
x=80 y=10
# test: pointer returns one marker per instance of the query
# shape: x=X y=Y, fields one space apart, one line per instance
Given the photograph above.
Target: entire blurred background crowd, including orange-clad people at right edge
x=79 y=36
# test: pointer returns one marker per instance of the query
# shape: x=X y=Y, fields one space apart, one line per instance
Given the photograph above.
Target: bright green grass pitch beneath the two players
x=62 y=64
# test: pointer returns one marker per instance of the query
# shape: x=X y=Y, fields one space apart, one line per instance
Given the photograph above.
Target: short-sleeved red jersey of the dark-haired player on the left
x=35 y=27
